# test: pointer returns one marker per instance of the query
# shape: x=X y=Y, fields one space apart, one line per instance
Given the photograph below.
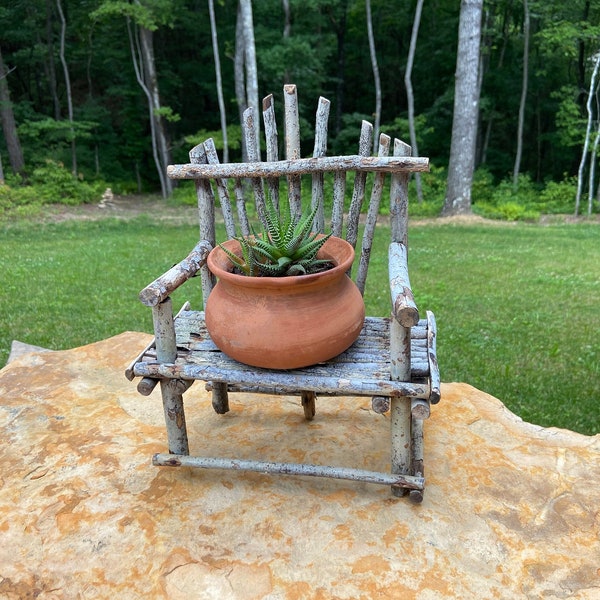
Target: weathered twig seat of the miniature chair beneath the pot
x=362 y=370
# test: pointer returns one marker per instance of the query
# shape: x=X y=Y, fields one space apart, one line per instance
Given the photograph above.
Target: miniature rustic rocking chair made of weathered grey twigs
x=394 y=359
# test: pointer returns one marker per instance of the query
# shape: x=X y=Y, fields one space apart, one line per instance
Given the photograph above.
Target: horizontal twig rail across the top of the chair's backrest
x=300 y=166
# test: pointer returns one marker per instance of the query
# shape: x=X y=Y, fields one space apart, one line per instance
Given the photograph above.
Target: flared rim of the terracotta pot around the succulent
x=337 y=250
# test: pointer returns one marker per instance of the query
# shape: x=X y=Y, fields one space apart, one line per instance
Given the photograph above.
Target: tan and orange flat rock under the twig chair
x=511 y=510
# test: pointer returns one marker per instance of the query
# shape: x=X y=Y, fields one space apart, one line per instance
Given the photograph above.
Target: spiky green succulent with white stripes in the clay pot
x=286 y=246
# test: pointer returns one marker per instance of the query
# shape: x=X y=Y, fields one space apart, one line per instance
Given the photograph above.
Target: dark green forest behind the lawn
x=79 y=78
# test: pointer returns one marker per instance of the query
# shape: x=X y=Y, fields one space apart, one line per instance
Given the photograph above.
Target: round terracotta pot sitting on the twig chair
x=285 y=322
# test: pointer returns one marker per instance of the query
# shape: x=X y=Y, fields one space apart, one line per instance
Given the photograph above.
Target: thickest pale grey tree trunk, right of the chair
x=466 y=111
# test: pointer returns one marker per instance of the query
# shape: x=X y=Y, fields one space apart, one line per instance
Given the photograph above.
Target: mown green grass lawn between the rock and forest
x=517 y=305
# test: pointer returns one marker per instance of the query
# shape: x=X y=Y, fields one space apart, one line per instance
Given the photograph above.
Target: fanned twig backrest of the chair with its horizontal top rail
x=324 y=172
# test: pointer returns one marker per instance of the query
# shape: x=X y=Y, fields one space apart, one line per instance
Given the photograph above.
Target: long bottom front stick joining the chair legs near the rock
x=174 y=460
